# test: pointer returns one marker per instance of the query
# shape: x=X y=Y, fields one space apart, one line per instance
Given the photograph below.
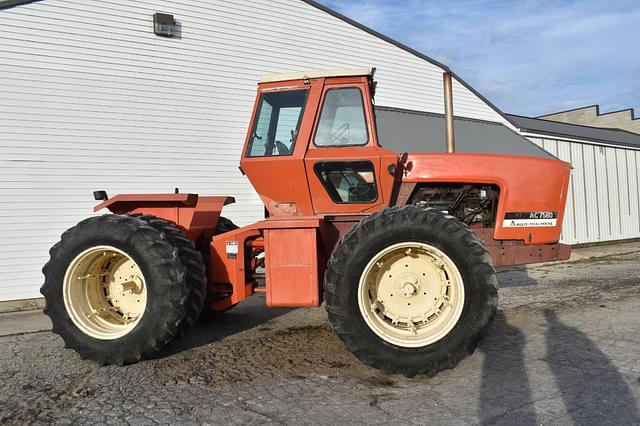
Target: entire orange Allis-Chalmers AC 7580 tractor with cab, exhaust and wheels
x=400 y=246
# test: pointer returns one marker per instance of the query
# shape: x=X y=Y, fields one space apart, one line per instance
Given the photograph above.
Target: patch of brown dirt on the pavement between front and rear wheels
x=296 y=352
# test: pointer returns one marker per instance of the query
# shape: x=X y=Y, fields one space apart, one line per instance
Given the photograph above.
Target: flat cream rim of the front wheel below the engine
x=411 y=294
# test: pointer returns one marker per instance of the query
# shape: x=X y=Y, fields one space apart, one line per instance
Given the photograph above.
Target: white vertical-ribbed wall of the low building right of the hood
x=603 y=203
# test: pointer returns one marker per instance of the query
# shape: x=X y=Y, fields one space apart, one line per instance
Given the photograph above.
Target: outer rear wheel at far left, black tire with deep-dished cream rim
x=115 y=289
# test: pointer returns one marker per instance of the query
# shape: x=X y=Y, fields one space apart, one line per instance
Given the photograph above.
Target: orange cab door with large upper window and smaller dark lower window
x=347 y=171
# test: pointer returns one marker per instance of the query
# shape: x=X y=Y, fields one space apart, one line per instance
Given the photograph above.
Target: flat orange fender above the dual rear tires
x=193 y=213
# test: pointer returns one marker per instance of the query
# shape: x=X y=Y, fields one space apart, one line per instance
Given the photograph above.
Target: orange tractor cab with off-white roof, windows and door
x=312 y=146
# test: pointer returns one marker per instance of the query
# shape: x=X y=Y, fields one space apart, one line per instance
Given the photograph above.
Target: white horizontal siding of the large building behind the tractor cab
x=92 y=99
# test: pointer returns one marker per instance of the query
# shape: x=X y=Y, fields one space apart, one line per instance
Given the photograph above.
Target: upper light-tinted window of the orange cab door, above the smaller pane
x=342 y=120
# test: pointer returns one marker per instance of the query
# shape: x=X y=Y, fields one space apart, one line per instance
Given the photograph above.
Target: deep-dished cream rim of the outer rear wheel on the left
x=104 y=292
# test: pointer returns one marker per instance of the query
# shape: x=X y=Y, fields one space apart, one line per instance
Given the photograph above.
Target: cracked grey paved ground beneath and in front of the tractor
x=565 y=348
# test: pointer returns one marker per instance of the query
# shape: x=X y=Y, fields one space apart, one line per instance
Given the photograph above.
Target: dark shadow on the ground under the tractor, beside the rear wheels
x=249 y=314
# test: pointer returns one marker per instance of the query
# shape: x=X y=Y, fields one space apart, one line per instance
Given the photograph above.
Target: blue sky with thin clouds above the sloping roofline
x=528 y=57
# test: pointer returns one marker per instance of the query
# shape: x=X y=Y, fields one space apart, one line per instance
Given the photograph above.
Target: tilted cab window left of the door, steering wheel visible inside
x=277 y=123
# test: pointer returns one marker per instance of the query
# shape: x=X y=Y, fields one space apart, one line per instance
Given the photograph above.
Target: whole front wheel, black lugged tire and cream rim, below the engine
x=410 y=290
